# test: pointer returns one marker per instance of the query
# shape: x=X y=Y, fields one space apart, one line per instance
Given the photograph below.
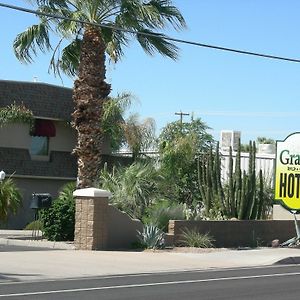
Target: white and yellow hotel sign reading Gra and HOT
x=287 y=172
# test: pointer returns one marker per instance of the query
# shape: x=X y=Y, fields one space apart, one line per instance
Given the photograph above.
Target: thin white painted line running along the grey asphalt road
x=148 y=284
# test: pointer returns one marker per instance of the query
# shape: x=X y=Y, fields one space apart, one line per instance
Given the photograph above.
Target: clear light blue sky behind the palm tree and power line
x=228 y=91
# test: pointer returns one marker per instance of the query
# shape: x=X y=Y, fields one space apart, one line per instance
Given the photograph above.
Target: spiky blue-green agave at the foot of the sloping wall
x=151 y=237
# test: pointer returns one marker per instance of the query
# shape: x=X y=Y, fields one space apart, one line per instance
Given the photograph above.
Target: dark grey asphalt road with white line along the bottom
x=276 y=282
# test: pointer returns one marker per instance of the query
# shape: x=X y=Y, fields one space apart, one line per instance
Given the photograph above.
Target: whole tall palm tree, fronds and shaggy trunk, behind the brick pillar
x=83 y=55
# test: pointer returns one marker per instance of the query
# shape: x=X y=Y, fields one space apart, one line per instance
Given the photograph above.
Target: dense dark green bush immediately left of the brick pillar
x=59 y=220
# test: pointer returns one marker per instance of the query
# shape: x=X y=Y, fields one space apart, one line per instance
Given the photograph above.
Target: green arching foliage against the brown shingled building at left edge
x=15 y=113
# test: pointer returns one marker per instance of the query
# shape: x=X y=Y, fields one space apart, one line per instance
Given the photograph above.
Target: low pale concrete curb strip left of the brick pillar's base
x=39 y=244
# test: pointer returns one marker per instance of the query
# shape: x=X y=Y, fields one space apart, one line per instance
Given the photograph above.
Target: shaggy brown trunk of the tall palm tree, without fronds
x=90 y=90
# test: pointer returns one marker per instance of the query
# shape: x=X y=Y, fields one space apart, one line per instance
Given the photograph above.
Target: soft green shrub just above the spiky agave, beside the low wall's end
x=161 y=212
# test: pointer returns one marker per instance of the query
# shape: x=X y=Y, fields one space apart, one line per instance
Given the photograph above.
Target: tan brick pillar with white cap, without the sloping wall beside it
x=91 y=219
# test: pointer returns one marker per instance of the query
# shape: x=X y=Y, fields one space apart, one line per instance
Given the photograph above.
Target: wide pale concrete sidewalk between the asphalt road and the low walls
x=41 y=265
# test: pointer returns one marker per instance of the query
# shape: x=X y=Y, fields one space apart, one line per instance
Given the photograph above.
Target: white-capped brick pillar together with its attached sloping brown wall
x=100 y=226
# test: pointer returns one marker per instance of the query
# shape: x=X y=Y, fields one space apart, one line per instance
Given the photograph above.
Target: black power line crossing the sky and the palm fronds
x=181 y=41
